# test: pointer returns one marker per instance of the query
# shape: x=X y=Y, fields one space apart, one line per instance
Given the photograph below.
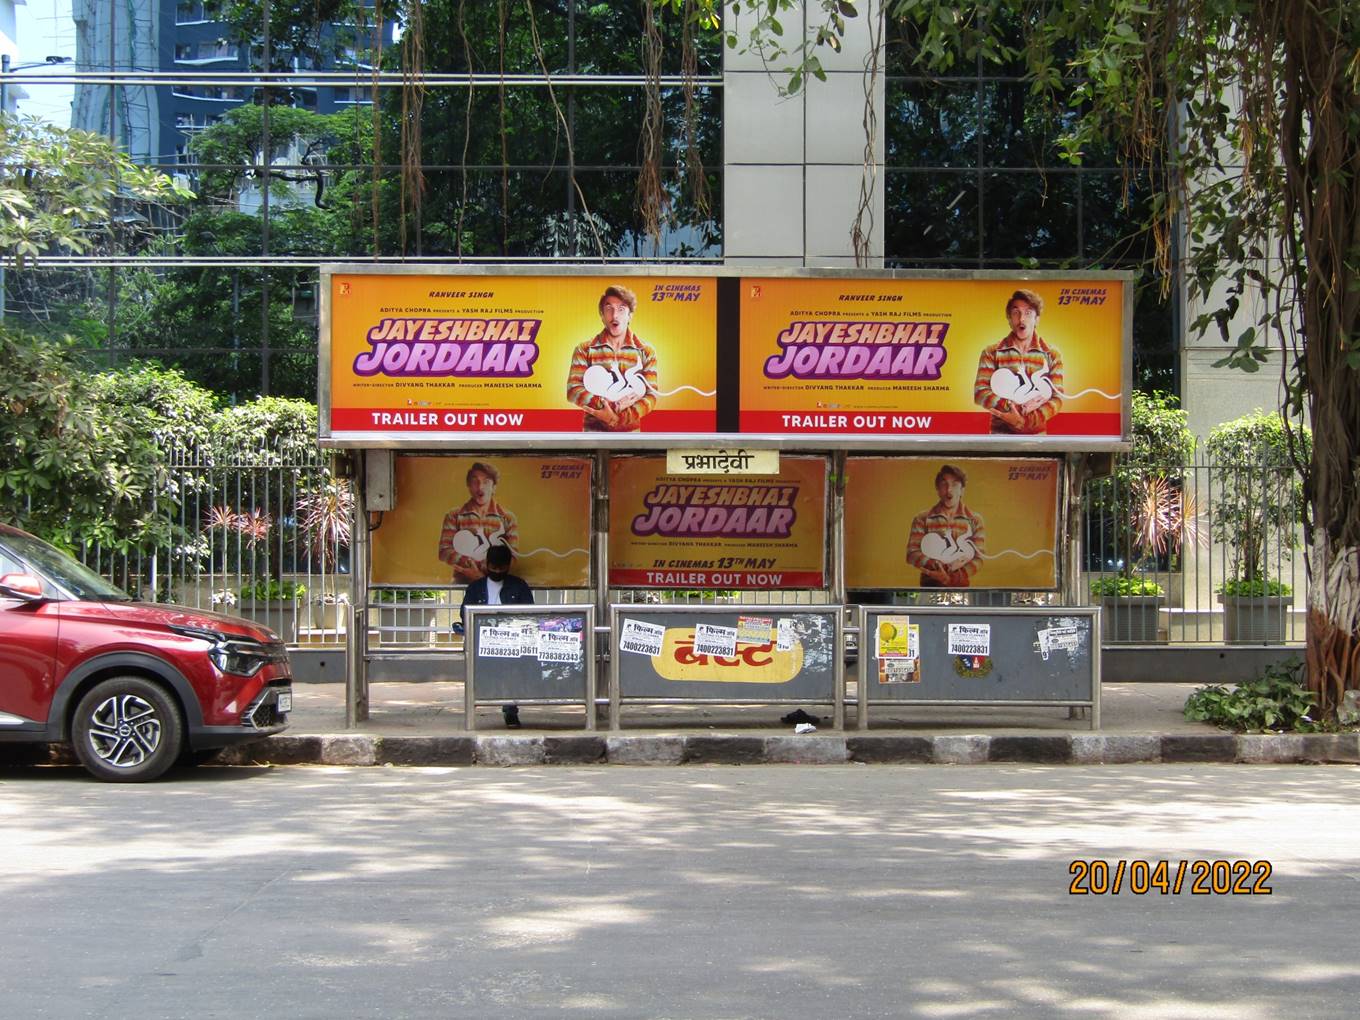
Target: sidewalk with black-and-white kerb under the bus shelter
x=422 y=724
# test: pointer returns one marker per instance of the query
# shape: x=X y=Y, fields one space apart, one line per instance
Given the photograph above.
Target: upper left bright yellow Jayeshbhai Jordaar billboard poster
x=459 y=356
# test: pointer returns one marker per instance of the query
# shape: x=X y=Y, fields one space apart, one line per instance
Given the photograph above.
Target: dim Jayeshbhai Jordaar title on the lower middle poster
x=730 y=512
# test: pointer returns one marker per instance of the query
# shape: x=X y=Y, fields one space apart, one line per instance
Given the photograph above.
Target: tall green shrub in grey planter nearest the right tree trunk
x=1257 y=508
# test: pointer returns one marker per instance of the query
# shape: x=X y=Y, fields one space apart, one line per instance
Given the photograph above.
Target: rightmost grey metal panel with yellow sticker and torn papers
x=1018 y=670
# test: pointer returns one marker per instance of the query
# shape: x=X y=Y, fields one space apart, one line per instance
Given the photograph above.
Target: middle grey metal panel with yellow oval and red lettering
x=817 y=630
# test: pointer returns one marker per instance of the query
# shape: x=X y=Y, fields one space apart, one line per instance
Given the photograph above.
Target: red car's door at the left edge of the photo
x=28 y=656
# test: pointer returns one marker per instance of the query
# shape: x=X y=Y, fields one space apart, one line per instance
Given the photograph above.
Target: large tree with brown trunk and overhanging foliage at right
x=1245 y=119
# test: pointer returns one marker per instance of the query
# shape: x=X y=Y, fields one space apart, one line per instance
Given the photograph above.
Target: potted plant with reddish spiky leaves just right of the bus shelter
x=1149 y=515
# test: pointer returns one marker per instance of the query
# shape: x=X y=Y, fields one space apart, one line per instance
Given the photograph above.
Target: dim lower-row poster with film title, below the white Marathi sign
x=731 y=532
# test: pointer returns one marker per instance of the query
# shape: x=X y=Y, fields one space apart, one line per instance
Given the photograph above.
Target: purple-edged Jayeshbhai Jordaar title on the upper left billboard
x=462 y=347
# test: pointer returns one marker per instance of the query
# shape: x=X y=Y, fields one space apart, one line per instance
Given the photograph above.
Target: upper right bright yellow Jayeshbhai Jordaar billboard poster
x=828 y=357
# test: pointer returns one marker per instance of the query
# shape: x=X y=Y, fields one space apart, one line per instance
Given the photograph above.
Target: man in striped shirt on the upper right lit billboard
x=1021 y=379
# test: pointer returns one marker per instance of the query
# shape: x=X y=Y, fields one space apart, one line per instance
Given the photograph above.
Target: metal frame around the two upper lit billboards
x=727 y=362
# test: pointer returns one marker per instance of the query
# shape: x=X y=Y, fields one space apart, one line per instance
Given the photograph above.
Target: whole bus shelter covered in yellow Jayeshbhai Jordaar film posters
x=883 y=437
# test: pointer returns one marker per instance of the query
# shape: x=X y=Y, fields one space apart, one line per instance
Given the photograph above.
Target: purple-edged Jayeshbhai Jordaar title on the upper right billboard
x=860 y=350
